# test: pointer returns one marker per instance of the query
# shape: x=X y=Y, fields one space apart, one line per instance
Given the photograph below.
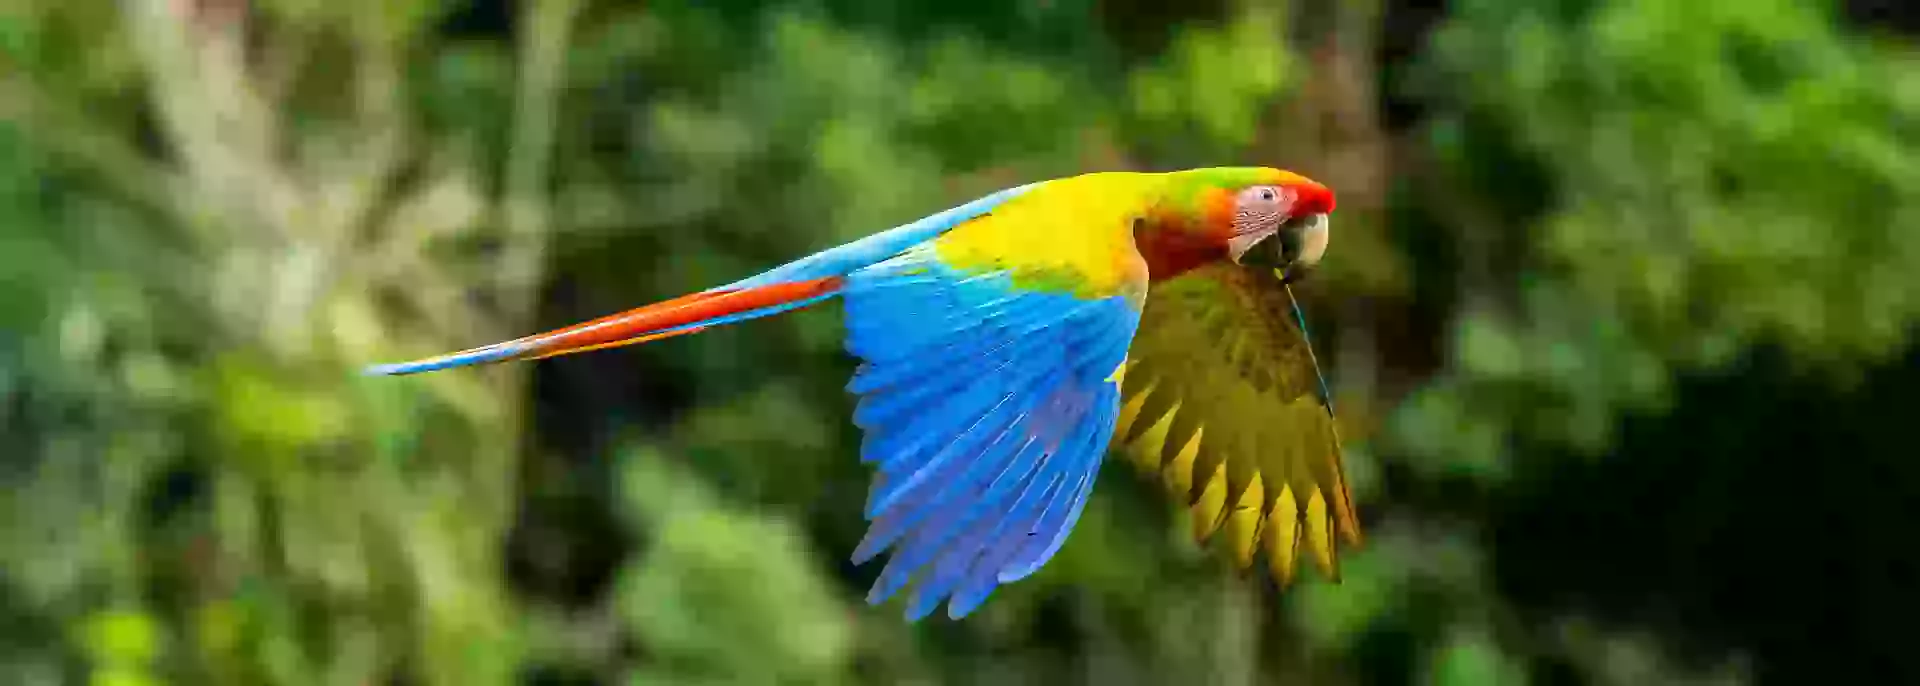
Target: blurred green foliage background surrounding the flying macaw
x=1621 y=314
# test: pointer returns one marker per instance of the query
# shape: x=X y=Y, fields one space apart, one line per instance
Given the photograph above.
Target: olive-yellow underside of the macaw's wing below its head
x=1222 y=399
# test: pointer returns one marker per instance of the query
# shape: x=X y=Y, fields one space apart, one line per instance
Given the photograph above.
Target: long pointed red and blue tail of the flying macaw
x=790 y=287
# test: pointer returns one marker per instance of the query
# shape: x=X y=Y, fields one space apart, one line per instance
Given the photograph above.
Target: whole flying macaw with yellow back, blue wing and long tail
x=1005 y=345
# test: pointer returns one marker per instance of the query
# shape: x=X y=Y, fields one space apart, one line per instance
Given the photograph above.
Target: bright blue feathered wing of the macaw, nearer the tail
x=986 y=412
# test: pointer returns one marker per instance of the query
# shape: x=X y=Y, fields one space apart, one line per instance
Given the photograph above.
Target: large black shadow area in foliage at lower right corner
x=1760 y=516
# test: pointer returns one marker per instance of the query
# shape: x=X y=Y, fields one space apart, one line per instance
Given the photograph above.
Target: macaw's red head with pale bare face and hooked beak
x=1280 y=224
